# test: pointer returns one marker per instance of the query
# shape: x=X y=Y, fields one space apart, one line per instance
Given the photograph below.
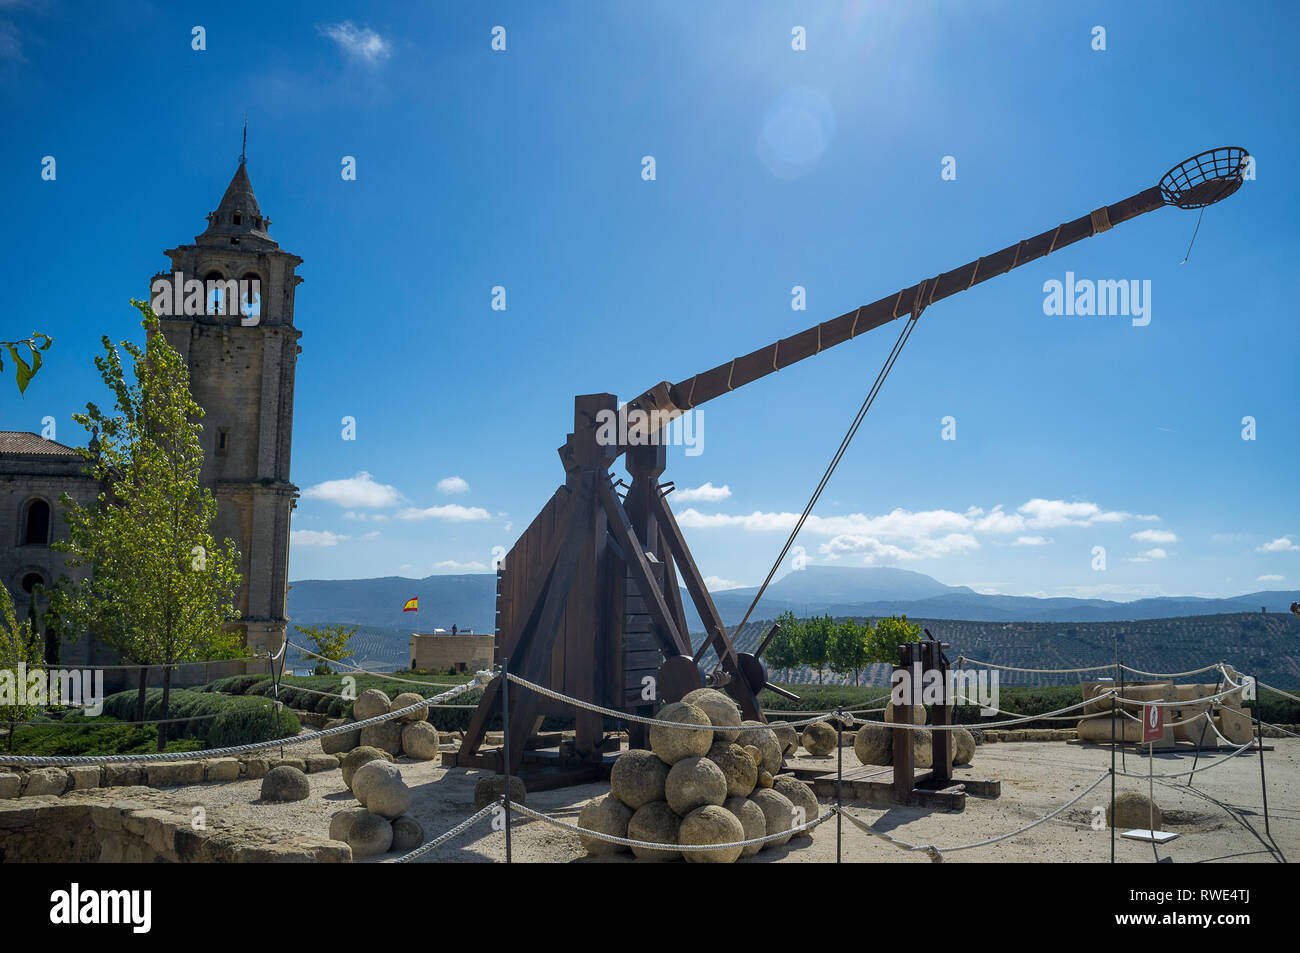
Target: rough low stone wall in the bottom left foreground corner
x=106 y=828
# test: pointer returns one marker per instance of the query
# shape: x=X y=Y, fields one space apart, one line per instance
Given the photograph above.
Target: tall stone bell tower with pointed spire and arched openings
x=242 y=375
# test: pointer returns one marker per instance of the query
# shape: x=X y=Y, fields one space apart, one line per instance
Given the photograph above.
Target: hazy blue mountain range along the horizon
x=469 y=601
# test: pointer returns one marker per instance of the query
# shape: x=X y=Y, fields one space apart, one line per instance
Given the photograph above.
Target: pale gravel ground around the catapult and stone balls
x=1220 y=817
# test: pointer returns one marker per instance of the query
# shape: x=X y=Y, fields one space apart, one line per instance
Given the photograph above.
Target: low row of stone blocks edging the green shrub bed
x=55 y=782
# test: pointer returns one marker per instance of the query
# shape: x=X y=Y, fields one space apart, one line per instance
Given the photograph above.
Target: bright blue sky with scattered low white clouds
x=775 y=168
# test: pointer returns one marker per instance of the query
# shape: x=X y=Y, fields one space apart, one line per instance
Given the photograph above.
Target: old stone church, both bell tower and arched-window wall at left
x=242 y=370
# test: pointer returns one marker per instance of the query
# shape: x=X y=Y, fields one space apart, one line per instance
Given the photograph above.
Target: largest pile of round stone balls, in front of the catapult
x=697 y=787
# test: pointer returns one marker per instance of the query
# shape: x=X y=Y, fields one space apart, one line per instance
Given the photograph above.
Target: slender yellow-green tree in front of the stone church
x=161 y=590
